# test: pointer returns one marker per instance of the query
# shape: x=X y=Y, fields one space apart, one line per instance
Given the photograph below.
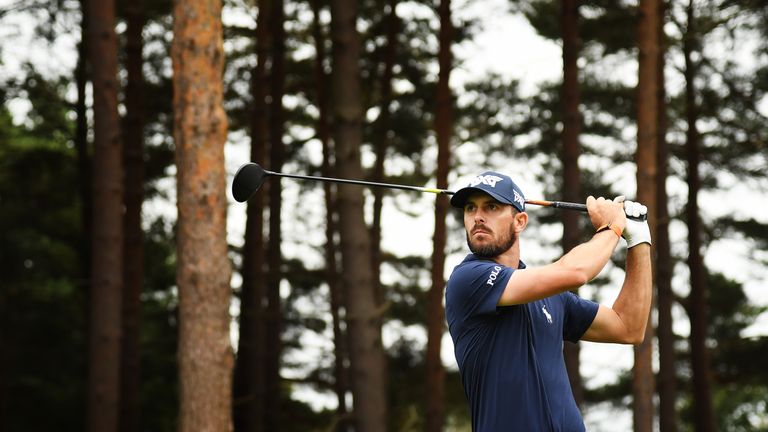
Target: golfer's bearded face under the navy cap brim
x=489 y=225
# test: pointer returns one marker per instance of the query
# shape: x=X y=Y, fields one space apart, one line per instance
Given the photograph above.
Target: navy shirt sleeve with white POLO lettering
x=474 y=288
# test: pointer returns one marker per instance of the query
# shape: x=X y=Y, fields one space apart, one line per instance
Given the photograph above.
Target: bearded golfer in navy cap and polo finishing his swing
x=508 y=321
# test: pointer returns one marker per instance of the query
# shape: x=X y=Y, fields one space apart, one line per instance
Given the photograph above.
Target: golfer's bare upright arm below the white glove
x=626 y=320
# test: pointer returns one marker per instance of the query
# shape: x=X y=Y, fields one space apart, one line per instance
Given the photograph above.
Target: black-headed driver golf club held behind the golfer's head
x=249 y=178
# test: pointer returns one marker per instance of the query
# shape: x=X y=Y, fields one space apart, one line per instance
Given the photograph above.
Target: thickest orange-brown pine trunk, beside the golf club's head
x=203 y=269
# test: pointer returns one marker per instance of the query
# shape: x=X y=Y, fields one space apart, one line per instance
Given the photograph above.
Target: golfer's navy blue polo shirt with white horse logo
x=511 y=357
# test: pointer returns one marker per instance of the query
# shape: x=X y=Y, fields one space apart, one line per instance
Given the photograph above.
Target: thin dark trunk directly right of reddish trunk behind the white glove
x=667 y=383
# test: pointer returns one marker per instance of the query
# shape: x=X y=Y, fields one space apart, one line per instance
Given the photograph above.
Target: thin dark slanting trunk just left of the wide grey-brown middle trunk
x=341 y=384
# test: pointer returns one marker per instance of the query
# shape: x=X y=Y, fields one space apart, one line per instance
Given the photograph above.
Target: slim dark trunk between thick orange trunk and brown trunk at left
x=133 y=250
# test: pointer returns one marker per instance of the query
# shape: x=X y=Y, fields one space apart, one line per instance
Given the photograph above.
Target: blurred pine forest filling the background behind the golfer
x=129 y=302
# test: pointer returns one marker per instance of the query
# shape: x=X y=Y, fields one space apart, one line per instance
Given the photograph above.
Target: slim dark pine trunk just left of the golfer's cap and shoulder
x=435 y=383
